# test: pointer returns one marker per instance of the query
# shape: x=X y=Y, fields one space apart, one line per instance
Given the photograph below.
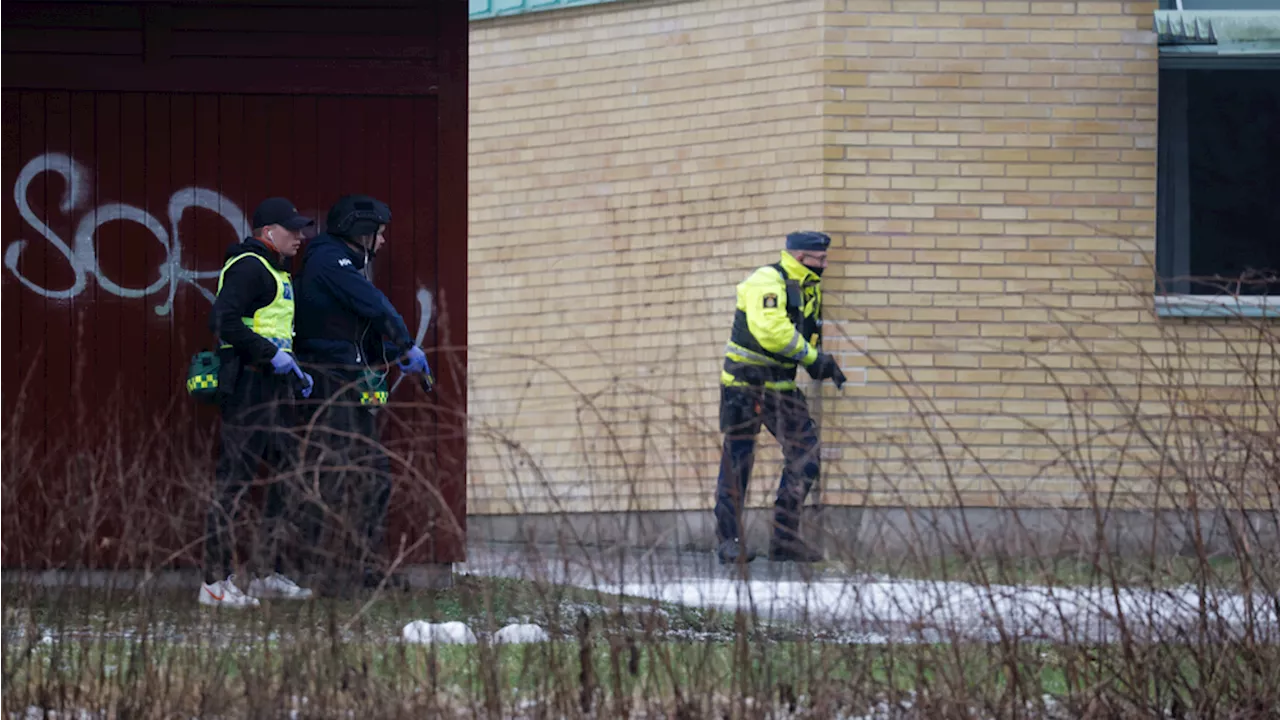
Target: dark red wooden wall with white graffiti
x=135 y=142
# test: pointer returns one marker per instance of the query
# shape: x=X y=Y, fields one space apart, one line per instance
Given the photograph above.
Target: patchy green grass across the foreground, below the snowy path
x=162 y=655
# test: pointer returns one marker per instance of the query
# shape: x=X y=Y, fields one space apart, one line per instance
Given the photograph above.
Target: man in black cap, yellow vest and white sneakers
x=253 y=318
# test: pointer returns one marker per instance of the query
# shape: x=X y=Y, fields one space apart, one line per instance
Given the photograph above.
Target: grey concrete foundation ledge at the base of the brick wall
x=902 y=532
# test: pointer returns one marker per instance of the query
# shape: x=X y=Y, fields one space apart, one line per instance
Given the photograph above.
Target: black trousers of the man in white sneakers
x=258 y=429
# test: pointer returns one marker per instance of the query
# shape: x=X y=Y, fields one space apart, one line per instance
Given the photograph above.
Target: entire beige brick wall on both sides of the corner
x=988 y=171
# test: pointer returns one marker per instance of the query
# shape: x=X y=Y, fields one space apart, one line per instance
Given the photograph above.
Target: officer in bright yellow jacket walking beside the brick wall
x=778 y=327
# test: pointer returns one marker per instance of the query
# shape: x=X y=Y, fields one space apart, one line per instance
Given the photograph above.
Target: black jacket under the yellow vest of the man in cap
x=248 y=288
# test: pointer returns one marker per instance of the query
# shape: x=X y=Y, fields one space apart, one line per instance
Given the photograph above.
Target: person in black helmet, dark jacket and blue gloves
x=349 y=335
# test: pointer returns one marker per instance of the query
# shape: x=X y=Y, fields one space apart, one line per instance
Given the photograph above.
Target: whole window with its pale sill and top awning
x=1218 y=195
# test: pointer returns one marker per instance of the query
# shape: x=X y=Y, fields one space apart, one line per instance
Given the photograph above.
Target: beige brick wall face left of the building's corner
x=629 y=165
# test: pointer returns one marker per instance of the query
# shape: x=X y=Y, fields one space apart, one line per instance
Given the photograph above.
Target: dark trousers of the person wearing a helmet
x=346 y=518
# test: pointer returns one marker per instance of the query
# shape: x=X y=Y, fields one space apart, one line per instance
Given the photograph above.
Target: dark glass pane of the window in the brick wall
x=1219 y=185
